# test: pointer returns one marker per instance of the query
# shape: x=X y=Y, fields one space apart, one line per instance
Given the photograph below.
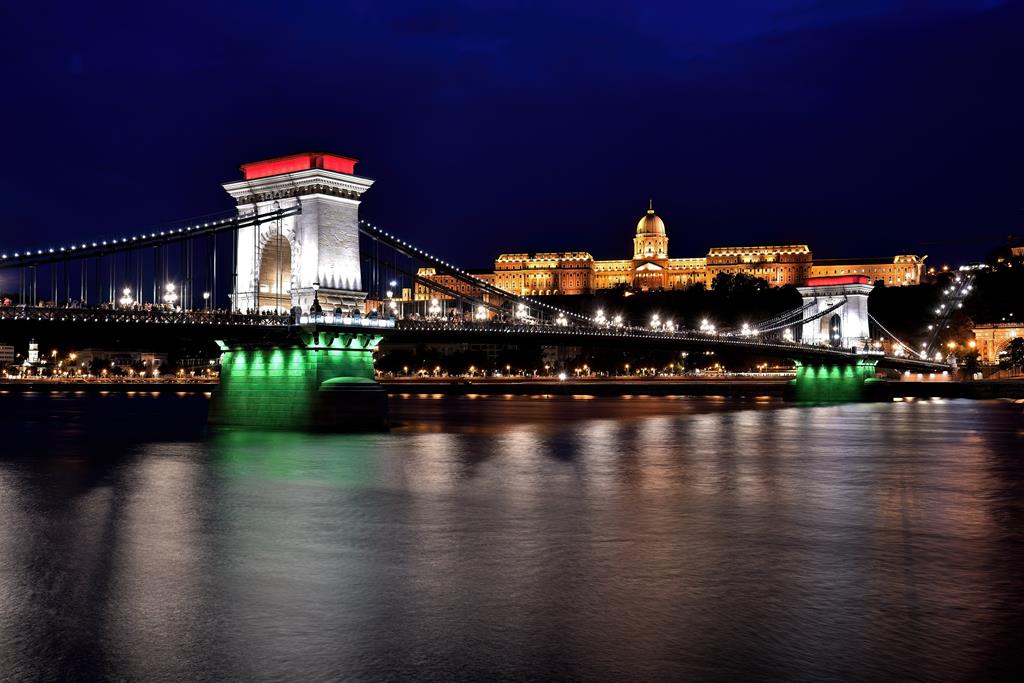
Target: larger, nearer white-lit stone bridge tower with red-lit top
x=279 y=263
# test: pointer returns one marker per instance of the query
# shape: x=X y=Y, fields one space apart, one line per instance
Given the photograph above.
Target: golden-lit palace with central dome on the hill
x=652 y=269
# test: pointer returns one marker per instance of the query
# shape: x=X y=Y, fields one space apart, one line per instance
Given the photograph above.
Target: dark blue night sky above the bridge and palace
x=862 y=127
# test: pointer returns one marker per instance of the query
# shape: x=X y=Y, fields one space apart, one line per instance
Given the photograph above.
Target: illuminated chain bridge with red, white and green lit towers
x=297 y=290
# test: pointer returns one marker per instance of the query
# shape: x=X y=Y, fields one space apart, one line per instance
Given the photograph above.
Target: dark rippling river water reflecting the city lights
x=501 y=538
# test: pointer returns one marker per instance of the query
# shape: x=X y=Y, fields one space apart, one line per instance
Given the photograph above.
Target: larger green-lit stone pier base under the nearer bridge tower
x=319 y=380
